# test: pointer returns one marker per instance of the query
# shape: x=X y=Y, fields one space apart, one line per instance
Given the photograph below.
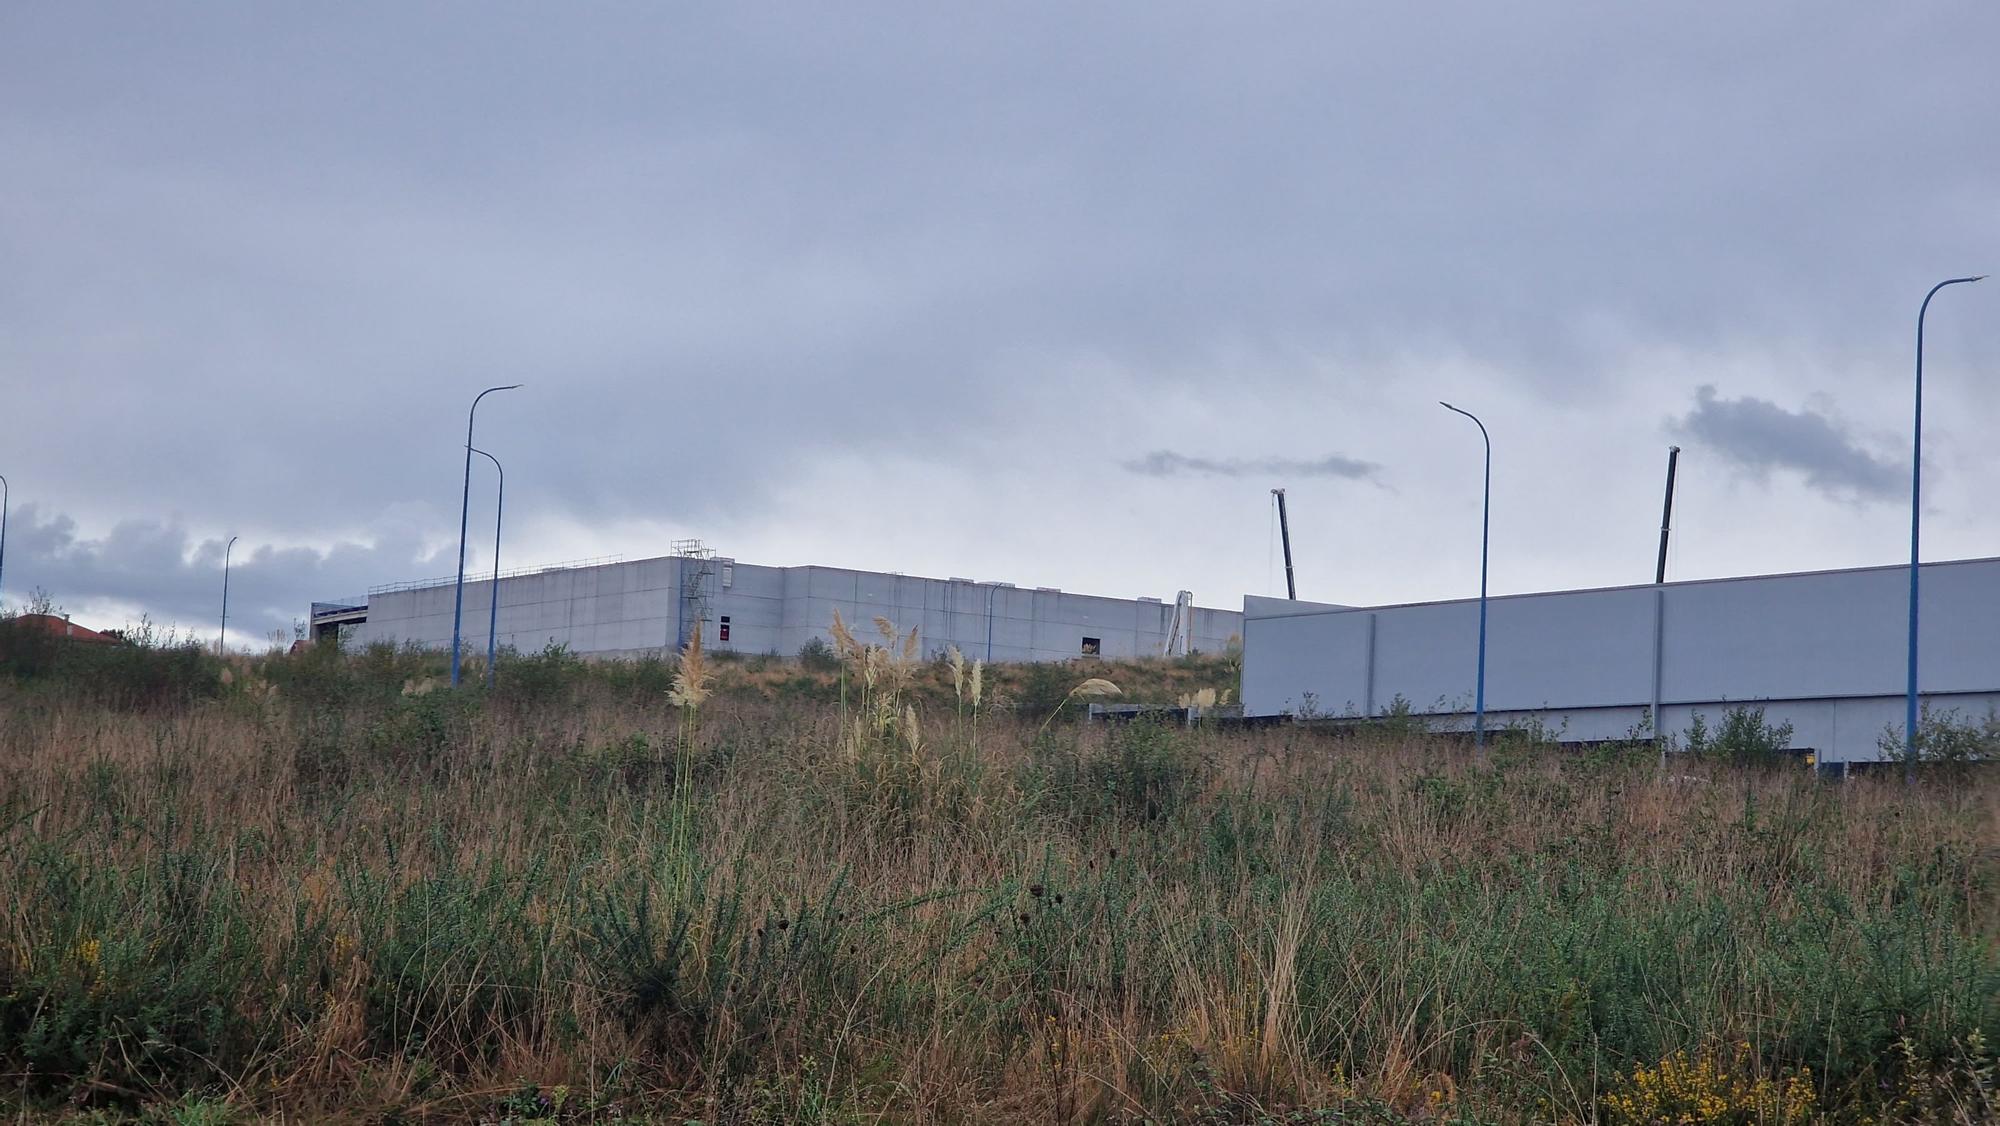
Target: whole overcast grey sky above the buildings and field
x=1033 y=293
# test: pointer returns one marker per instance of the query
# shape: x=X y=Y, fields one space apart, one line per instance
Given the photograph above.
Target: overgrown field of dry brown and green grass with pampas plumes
x=325 y=887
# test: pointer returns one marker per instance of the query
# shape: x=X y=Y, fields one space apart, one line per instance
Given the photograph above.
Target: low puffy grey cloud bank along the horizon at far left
x=179 y=579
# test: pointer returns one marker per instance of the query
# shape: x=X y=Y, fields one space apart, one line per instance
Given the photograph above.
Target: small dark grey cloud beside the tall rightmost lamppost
x=1763 y=437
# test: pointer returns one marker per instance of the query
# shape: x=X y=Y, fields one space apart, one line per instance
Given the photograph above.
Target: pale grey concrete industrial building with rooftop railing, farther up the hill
x=611 y=609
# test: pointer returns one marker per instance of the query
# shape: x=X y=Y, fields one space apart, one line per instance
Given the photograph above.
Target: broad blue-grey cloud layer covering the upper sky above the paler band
x=723 y=243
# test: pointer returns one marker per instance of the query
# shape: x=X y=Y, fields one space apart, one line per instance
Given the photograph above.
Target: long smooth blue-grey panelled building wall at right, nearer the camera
x=1823 y=651
